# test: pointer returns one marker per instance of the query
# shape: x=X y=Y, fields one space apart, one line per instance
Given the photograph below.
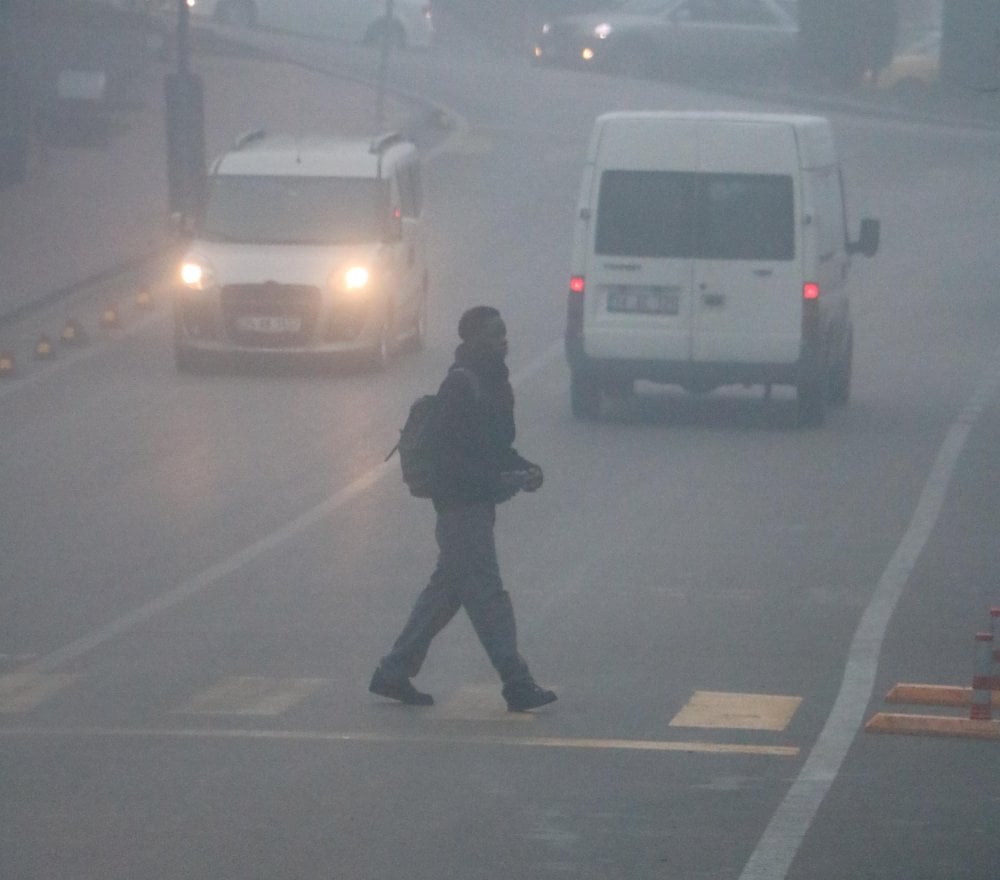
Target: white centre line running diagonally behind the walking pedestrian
x=212 y=575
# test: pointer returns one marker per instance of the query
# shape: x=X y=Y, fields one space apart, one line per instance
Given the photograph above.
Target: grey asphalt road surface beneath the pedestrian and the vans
x=199 y=573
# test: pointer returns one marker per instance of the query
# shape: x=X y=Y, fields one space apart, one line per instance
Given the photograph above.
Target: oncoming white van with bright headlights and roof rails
x=305 y=247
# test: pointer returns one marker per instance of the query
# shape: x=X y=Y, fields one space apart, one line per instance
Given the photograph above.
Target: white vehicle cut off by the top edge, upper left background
x=356 y=21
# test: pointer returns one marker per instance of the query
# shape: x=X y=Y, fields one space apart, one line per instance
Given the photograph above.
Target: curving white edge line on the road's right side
x=783 y=836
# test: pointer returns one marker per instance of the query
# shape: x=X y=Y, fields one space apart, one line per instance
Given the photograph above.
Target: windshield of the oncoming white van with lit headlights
x=294 y=210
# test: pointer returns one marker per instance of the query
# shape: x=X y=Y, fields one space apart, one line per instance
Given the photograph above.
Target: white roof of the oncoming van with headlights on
x=257 y=153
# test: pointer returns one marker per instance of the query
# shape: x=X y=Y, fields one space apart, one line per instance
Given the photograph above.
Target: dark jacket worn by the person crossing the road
x=475 y=429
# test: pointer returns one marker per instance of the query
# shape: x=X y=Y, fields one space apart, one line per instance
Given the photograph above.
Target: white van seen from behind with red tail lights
x=711 y=249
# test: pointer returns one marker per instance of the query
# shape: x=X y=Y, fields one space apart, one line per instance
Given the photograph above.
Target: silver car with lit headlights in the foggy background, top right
x=677 y=39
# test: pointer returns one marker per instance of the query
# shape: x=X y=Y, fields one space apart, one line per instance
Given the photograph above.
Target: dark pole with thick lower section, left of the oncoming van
x=185 y=126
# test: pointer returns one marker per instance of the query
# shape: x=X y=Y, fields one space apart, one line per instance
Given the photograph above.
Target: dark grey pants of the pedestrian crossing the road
x=467 y=576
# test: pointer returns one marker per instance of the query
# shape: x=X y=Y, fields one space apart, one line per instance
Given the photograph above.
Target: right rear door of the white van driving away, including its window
x=747 y=278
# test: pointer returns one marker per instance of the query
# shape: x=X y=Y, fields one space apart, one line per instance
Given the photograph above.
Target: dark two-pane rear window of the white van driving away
x=691 y=215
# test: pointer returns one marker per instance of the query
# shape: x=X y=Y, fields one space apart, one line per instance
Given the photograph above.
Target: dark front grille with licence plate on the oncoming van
x=270 y=315
